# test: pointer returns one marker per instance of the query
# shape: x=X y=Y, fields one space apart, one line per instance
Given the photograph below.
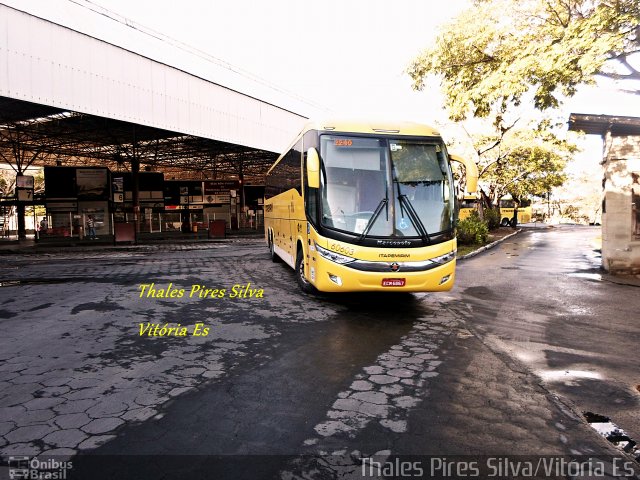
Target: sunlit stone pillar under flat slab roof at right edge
x=620 y=242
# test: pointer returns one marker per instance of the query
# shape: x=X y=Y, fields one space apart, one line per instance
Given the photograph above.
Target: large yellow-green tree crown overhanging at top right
x=498 y=51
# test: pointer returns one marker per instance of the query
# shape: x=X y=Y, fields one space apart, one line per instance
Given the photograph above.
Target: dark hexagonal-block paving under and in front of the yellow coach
x=283 y=386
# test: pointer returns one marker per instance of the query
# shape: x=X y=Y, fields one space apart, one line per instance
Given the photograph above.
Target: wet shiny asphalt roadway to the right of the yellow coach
x=542 y=300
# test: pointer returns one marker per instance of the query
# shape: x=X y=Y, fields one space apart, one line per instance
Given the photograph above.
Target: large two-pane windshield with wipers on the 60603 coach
x=385 y=188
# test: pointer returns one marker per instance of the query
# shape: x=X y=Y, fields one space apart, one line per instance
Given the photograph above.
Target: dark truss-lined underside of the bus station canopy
x=43 y=135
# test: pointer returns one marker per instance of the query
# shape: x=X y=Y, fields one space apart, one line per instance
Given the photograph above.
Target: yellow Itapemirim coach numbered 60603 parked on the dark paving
x=359 y=207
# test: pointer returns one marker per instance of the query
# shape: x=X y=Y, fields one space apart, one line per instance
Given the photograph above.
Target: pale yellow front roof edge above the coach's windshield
x=372 y=127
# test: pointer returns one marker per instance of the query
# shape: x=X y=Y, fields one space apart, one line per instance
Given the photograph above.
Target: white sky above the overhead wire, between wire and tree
x=346 y=55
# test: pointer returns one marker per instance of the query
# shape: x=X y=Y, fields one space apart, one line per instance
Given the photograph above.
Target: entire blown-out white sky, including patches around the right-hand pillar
x=344 y=57
